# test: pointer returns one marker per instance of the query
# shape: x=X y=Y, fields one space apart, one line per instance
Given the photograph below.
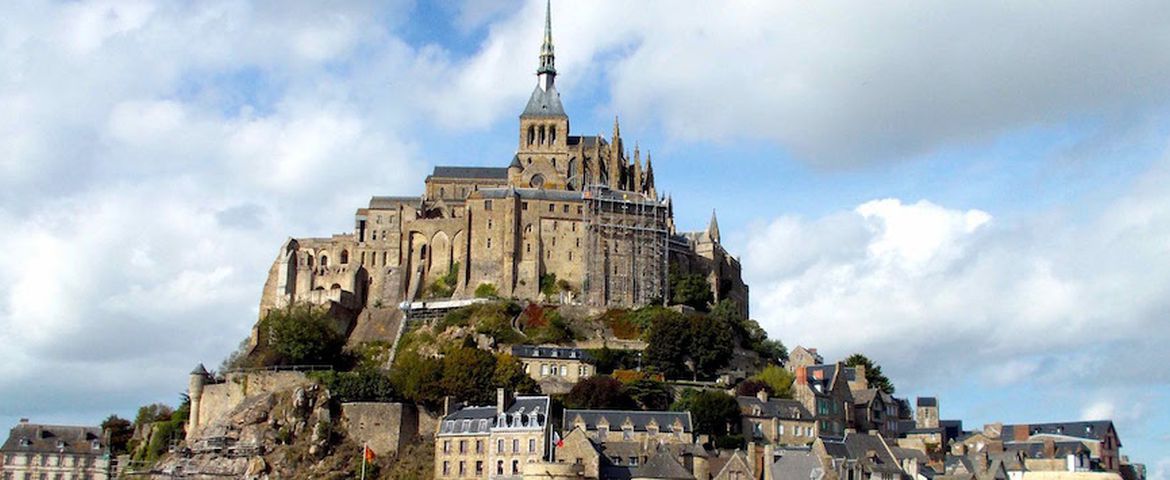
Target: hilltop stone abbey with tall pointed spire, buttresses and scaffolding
x=580 y=208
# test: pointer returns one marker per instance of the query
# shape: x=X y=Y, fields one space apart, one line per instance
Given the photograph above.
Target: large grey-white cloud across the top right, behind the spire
x=835 y=83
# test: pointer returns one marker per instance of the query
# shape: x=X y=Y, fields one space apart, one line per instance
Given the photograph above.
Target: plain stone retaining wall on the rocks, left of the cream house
x=384 y=427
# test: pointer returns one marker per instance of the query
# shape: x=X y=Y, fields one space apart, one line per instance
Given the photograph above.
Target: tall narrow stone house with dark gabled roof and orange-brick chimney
x=824 y=390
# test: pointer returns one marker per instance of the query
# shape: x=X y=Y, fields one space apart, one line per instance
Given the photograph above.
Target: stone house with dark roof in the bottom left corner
x=37 y=451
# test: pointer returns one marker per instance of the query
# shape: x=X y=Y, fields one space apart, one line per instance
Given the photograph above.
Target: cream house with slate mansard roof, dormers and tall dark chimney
x=493 y=442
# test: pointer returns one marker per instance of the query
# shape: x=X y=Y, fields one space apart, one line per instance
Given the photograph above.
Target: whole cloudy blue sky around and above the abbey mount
x=973 y=194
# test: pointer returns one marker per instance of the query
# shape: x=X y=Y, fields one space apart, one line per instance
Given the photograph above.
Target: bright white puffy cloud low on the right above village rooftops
x=935 y=293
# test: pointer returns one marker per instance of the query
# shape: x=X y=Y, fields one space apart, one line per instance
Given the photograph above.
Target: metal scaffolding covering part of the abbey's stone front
x=627 y=251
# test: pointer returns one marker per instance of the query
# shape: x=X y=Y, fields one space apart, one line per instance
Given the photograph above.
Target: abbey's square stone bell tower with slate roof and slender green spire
x=543 y=150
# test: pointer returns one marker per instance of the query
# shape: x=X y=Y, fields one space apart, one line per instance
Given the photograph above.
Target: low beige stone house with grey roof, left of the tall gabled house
x=776 y=421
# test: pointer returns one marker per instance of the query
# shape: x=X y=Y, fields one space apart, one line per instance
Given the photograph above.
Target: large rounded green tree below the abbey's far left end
x=301 y=335
